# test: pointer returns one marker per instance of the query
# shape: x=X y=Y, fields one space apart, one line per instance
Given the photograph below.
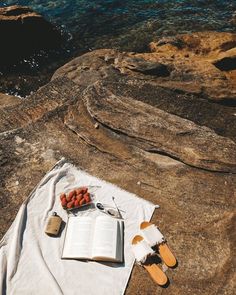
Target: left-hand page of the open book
x=78 y=239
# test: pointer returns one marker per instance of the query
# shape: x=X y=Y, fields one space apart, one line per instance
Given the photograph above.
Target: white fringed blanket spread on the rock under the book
x=30 y=261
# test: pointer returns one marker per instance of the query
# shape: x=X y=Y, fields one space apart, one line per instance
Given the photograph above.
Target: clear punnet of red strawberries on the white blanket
x=76 y=198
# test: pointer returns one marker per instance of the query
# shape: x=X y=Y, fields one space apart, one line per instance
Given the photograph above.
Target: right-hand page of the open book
x=105 y=238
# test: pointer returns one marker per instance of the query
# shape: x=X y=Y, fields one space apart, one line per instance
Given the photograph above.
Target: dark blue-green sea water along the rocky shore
x=123 y=24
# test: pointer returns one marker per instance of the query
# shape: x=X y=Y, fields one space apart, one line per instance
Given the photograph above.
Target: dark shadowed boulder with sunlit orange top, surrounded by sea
x=24 y=32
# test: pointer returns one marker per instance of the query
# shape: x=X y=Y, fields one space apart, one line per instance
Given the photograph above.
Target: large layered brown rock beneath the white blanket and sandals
x=168 y=143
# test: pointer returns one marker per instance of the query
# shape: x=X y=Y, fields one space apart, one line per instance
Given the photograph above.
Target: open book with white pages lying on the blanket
x=99 y=238
